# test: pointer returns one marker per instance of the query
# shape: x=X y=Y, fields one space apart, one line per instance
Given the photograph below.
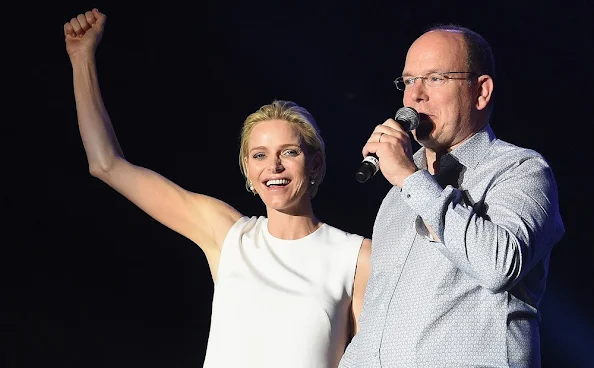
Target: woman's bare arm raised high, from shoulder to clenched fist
x=202 y=219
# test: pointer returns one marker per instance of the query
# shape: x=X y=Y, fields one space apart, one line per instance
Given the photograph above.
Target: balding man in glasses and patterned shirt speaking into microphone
x=461 y=243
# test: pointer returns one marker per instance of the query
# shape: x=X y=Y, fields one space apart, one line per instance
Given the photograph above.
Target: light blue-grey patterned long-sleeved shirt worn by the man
x=471 y=300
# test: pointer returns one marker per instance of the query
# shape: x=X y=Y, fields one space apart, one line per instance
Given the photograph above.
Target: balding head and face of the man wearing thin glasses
x=443 y=85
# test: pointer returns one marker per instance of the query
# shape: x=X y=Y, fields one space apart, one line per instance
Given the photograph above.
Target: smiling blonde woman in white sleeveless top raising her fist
x=288 y=288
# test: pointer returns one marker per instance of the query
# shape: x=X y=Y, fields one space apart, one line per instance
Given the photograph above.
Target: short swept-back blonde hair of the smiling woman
x=292 y=113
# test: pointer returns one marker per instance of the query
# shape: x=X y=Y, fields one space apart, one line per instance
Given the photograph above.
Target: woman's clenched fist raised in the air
x=84 y=32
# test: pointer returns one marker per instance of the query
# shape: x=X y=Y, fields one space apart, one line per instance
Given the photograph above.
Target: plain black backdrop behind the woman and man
x=91 y=281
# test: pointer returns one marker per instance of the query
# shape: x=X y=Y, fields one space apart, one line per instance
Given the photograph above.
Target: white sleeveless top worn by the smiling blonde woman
x=282 y=303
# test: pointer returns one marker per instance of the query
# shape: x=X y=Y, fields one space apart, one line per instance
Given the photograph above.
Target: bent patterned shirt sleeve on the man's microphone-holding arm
x=497 y=239
